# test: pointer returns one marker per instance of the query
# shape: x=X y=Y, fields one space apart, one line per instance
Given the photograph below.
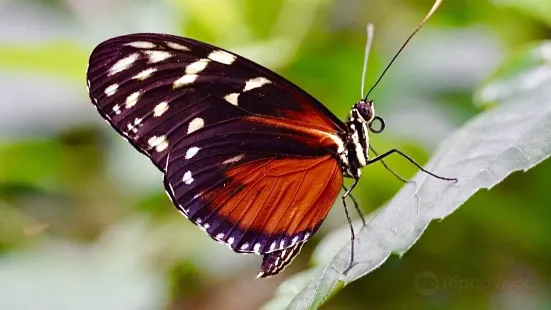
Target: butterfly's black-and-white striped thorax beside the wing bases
x=356 y=145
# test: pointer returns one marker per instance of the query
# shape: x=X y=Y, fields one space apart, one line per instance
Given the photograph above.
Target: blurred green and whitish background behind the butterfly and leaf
x=85 y=223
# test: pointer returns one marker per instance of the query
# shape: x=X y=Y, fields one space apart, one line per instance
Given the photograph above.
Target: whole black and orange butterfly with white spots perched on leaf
x=249 y=157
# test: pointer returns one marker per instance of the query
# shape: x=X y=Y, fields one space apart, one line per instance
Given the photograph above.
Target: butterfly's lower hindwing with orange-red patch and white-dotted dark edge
x=260 y=206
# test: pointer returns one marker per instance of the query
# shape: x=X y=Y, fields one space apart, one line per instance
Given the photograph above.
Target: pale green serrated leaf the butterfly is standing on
x=513 y=136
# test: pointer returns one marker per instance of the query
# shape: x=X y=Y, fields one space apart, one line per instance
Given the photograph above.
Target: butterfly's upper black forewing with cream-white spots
x=155 y=83
